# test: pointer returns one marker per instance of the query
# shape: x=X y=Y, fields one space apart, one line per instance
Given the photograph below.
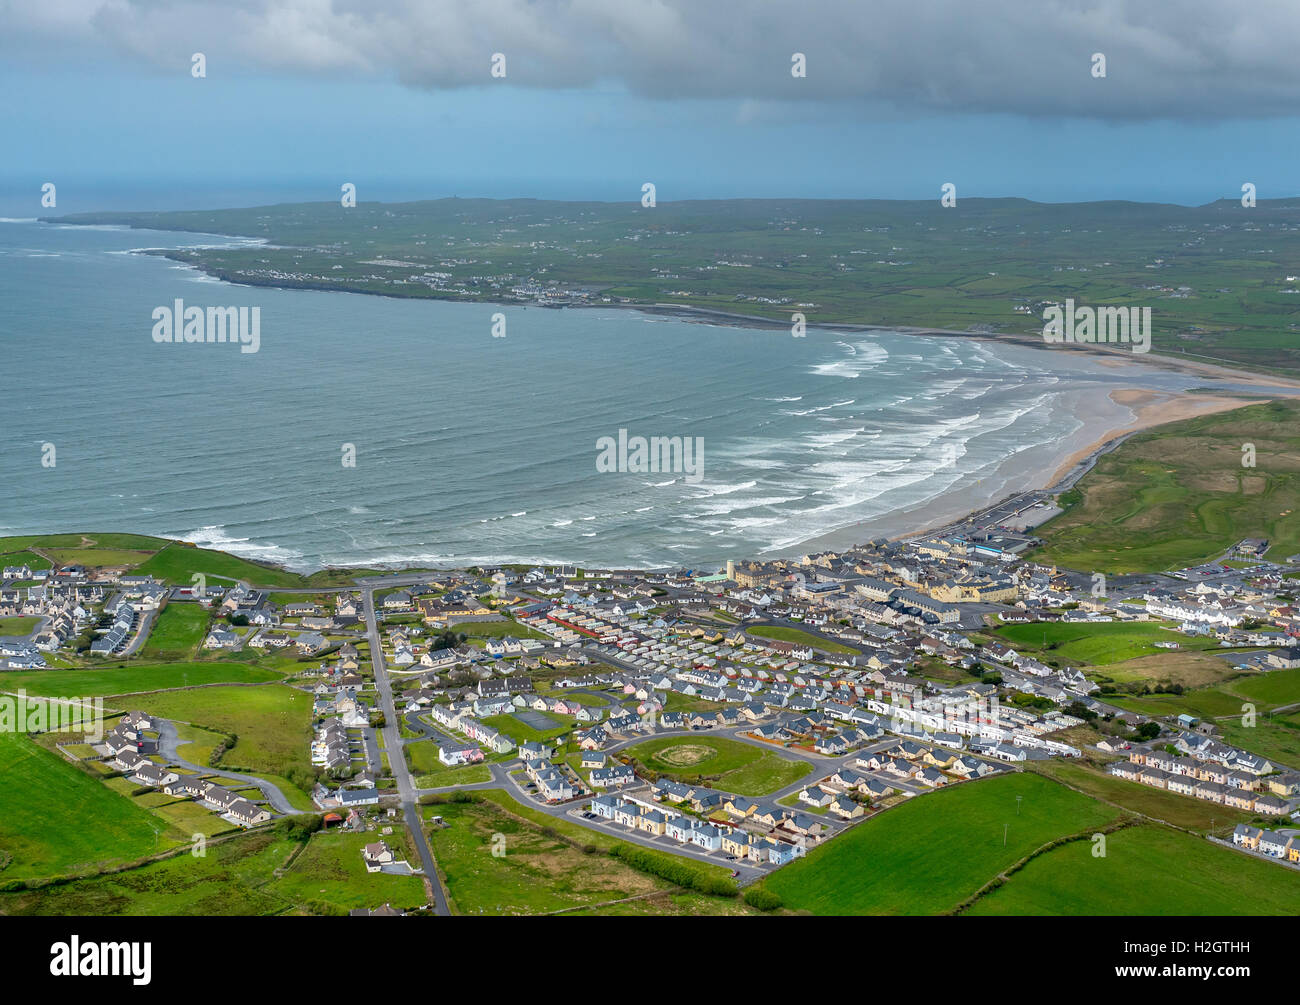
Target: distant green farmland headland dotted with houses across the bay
x=865 y=262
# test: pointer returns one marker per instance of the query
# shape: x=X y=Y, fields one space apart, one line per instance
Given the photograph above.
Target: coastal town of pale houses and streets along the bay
x=740 y=718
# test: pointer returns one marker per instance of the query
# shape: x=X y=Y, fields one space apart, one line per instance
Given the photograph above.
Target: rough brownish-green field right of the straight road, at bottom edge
x=536 y=873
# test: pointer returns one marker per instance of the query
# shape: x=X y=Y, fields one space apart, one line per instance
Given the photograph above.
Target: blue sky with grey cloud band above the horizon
x=599 y=97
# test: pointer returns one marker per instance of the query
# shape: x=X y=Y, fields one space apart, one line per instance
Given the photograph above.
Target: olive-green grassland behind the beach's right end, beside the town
x=1180 y=495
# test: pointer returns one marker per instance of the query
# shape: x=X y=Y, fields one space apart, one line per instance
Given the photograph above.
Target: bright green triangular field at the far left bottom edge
x=46 y=805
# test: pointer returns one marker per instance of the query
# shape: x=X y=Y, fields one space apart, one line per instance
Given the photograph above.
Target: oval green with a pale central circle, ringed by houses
x=725 y=764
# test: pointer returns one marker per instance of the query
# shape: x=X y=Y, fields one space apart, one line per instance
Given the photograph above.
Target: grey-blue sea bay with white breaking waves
x=479 y=449
